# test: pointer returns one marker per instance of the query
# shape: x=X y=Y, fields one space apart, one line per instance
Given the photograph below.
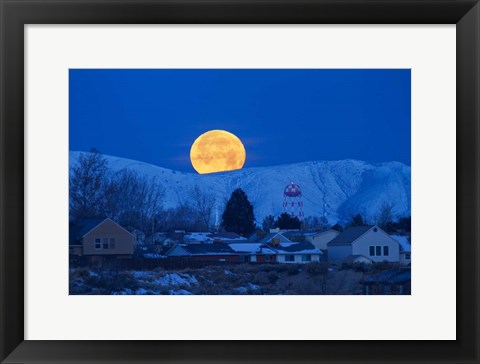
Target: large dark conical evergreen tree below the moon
x=238 y=214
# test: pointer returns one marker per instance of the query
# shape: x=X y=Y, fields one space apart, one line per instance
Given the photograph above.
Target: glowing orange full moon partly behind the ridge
x=217 y=151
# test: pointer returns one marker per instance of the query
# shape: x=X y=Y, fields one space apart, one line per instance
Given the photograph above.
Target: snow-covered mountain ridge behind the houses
x=338 y=189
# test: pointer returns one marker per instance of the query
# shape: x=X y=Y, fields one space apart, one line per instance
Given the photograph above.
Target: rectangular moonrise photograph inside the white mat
x=240 y=182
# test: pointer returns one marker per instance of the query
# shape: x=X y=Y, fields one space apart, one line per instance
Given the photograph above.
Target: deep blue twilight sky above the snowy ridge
x=282 y=116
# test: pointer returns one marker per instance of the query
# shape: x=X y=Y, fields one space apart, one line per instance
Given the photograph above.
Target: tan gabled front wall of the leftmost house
x=124 y=241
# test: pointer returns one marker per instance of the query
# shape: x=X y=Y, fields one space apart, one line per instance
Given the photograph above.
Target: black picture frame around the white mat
x=16 y=13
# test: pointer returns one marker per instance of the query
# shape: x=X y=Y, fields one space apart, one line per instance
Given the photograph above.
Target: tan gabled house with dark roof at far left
x=100 y=237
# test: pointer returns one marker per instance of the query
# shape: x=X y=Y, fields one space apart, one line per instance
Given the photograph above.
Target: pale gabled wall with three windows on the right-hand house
x=361 y=246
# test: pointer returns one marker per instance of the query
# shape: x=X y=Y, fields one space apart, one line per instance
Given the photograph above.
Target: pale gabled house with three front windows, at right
x=369 y=241
